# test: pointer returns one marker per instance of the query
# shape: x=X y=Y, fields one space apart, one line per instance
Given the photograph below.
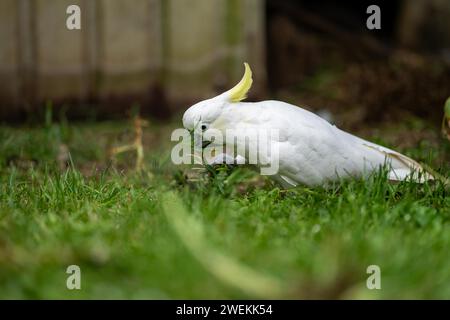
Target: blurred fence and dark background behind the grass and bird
x=163 y=55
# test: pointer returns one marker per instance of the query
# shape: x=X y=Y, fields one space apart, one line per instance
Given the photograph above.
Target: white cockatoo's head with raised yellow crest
x=202 y=114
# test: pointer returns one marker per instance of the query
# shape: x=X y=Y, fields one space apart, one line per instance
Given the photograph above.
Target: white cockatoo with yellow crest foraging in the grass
x=311 y=151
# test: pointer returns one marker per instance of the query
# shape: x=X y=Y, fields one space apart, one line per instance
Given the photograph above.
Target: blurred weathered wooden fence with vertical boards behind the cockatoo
x=126 y=51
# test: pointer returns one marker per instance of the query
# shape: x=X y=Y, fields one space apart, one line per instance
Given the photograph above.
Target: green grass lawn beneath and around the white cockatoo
x=158 y=234
